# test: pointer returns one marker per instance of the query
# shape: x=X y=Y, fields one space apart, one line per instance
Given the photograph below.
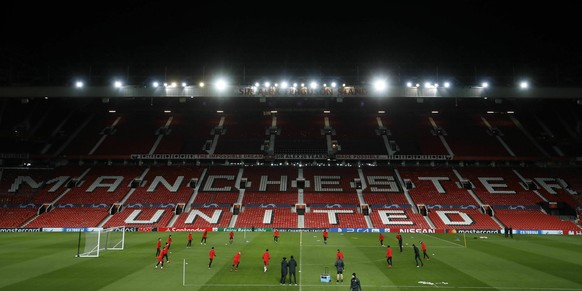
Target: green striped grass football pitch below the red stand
x=46 y=261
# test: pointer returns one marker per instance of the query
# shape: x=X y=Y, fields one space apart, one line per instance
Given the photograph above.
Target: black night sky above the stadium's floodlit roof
x=142 y=33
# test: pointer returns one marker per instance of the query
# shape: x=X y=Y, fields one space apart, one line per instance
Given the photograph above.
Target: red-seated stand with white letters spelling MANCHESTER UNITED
x=252 y=163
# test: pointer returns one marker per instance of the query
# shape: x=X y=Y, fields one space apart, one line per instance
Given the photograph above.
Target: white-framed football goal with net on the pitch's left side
x=92 y=243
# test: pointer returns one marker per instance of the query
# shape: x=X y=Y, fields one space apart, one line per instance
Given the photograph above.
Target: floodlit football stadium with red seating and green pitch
x=91 y=178
